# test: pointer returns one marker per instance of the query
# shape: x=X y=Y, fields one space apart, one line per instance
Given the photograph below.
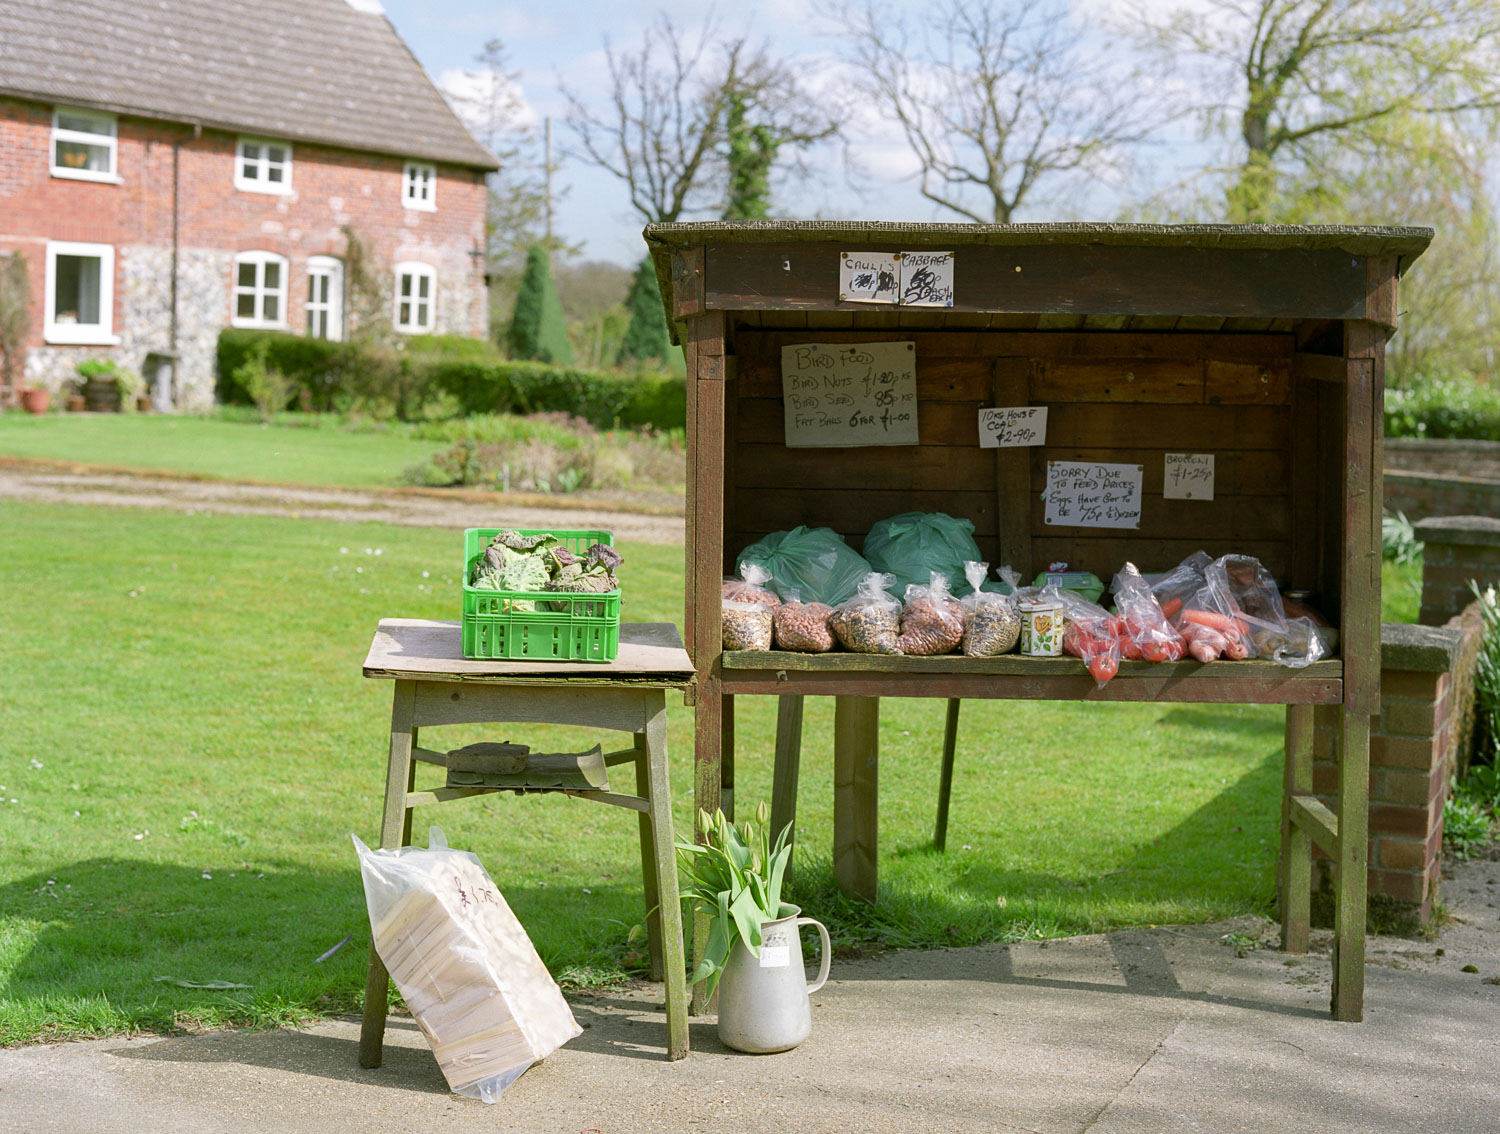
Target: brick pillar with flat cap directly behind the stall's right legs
x=1411 y=761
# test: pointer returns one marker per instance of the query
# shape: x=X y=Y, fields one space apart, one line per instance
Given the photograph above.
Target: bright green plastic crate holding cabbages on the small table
x=574 y=628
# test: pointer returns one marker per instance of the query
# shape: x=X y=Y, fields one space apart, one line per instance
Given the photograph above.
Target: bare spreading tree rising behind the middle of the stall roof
x=994 y=98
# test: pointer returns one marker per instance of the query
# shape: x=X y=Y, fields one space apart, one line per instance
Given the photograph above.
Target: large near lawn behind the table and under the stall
x=190 y=745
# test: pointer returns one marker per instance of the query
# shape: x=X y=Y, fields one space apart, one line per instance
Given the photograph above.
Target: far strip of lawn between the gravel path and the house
x=314 y=452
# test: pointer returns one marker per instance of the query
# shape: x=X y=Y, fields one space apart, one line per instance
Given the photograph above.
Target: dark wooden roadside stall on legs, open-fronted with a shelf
x=1259 y=346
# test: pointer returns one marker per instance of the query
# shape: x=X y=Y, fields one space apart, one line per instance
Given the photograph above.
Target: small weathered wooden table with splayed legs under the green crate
x=436 y=685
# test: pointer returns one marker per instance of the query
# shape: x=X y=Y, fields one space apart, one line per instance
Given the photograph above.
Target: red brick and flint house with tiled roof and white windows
x=178 y=167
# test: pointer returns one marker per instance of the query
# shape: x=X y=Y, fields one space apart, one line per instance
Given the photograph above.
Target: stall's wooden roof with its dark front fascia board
x=1135 y=277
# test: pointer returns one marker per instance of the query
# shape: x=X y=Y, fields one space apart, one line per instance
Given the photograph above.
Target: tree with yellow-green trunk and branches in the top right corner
x=1289 y=79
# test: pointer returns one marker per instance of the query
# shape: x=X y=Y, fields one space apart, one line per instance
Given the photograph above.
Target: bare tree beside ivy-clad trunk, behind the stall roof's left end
x=665 y=133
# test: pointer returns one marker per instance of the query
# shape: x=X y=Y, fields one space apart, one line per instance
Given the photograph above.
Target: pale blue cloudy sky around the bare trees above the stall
x=563 y=43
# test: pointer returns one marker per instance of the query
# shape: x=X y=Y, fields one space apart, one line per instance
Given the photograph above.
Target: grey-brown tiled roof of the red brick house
x=325 y=71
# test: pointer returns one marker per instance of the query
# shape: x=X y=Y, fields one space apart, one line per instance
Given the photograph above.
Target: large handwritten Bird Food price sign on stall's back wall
x=844 y=395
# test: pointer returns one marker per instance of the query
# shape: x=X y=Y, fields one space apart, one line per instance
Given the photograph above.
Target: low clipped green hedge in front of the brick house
x=334 y=377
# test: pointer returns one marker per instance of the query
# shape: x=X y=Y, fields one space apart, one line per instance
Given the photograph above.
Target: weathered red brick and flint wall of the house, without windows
x=329 y=190
